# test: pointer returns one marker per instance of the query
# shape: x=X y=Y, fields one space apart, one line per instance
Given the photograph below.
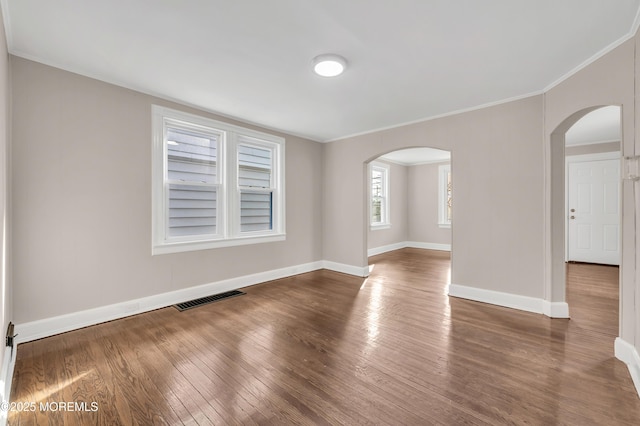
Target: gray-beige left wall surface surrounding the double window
x=82 y=208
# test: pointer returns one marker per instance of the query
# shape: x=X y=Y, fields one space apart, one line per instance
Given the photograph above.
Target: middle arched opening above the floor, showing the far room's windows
x=408 y=195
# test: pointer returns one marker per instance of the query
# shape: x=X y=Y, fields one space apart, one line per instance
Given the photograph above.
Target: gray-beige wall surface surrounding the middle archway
x=495 y=151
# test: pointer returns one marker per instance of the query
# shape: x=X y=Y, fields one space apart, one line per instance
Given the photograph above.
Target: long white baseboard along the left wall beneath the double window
x=50 y=326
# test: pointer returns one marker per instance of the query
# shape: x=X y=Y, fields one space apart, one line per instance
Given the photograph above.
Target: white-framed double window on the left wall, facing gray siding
x=214 y=184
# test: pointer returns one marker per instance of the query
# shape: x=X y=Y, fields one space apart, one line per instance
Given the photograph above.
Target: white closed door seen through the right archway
x=594 y=212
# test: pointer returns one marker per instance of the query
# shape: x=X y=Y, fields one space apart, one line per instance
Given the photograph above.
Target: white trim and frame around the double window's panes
x=228 y=226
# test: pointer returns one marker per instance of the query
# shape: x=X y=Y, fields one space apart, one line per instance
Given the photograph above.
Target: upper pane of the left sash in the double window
x=191 y=157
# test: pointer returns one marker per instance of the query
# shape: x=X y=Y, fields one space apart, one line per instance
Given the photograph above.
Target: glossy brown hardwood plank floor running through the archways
x=327 y=348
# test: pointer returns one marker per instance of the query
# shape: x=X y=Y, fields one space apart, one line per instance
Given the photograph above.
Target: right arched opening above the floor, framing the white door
x=593 y=189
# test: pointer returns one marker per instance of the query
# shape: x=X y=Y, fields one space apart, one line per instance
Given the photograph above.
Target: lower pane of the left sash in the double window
x=192 y=210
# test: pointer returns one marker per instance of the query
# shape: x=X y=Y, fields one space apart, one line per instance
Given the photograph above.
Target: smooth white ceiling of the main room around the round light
x=409 y=60
